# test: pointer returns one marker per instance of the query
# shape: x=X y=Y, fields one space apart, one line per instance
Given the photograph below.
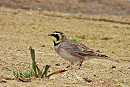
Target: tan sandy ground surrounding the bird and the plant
x=20 y=29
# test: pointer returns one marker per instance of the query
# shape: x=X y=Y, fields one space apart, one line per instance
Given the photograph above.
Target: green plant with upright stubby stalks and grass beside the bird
x=34 y=71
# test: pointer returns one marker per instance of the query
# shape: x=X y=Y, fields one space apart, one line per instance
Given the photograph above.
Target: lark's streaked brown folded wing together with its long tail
x=80 y=50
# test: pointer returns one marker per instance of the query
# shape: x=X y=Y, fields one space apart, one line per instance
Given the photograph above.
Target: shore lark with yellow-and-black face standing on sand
x=73 y=51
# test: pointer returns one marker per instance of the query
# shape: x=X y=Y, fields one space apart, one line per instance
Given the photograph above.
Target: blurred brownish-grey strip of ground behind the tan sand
x=111 y=7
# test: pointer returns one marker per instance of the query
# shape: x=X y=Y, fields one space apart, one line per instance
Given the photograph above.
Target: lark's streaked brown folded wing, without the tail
x=78 y=49
